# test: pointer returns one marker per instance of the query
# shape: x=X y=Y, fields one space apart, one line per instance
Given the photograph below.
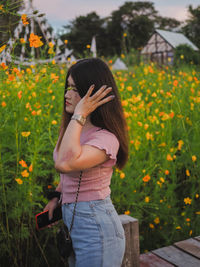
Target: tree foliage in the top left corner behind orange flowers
x=8 y=18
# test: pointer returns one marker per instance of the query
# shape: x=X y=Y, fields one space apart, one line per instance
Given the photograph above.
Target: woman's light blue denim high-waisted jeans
x=97 y=234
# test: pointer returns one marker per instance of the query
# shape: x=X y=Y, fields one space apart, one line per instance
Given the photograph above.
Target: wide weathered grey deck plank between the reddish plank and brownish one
x=177 y=257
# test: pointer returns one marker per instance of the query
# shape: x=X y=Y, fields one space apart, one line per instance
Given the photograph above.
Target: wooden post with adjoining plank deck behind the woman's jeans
x=184 y=253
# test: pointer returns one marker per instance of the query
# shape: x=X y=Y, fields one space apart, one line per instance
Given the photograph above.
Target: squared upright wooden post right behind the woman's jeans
x=132 y=251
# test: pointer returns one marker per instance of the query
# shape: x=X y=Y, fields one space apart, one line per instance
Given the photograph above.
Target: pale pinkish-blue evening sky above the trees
x=61 y=12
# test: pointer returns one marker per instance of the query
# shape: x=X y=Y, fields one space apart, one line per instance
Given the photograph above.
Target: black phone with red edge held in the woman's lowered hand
x=42 y=218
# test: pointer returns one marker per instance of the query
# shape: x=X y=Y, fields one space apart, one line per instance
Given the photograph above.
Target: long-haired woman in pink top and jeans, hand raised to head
x=93 y=139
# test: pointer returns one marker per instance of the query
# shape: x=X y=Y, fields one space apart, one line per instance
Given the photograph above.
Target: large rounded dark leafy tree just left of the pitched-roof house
x=136 y=20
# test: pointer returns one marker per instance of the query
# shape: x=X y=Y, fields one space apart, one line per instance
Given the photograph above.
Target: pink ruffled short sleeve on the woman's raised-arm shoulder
x=107 y=141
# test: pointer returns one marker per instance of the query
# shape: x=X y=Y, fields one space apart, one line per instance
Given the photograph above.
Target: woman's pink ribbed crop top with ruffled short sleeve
x=95 y=183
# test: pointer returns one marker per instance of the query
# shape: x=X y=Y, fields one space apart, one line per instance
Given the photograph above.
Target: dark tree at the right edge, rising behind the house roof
x=192 y=27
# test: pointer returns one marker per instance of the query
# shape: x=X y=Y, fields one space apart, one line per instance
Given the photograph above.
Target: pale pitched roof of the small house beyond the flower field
x=176 y=39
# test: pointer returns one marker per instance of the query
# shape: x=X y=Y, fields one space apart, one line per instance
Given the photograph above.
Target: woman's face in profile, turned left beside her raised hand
x=72 y=96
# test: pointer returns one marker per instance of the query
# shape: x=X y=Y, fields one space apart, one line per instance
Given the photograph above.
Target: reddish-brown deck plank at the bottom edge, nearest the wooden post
x=151 y=260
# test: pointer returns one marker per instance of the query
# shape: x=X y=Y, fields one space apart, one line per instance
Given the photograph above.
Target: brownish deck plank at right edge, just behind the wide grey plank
x=191 y=246
